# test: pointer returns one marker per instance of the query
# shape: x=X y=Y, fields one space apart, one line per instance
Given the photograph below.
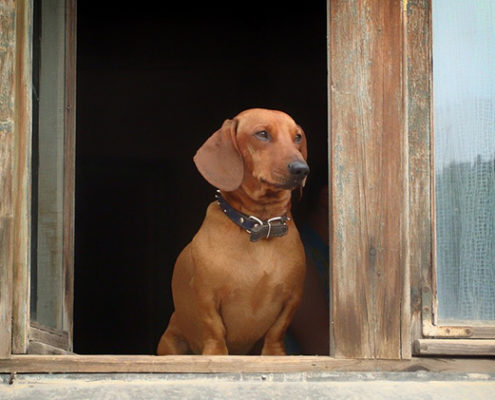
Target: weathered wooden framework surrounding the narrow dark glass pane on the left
x=25 y=335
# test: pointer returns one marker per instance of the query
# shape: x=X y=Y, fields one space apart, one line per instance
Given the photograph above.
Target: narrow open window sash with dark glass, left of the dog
x=53 y=180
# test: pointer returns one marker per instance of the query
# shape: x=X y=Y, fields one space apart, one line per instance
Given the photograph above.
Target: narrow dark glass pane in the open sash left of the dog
x=47 y=283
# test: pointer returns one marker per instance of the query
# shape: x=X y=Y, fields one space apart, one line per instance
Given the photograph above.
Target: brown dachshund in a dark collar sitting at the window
x=241 y=278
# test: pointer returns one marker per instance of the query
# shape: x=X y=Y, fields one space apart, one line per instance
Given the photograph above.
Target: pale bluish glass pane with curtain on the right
x=464 y=130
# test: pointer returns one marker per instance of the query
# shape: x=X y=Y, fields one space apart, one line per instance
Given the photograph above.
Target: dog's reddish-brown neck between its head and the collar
x=263 y=203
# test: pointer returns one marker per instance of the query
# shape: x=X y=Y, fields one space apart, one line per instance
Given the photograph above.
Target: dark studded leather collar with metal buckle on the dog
x=257 y=228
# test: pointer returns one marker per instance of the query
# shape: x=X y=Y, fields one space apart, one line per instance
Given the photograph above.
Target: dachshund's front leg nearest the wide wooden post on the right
x=274 y=337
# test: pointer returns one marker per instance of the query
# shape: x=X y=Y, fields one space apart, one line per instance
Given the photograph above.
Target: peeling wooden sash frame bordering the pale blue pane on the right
x=430 y=337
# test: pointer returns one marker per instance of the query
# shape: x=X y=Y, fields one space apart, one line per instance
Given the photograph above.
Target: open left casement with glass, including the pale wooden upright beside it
x=43 y=253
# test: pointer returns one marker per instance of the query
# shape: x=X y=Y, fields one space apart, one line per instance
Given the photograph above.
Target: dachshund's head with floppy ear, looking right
x=264 y=147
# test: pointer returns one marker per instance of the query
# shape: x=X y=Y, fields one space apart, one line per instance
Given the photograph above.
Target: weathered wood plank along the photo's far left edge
x=7 y=160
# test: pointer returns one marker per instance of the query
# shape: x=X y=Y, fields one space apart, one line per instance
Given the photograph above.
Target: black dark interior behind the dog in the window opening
x=153 y=83
